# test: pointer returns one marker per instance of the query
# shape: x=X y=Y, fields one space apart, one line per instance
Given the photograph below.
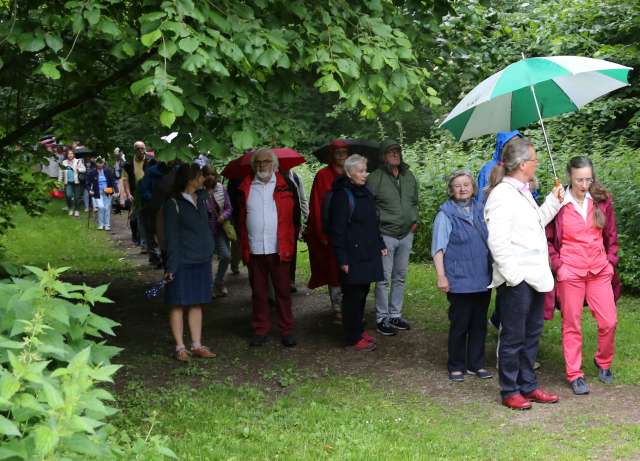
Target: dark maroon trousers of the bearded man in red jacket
x=260 y=268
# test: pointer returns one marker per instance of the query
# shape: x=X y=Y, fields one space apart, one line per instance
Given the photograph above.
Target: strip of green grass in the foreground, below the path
x=349 y=419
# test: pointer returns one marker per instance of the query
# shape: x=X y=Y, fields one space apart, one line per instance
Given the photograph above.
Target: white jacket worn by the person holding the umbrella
x=517 y=239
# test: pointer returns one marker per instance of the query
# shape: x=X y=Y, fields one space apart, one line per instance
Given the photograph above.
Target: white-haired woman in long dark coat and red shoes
x=358 y=246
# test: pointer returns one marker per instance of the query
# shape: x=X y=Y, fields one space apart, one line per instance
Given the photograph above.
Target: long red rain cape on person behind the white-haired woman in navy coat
x=324 y=267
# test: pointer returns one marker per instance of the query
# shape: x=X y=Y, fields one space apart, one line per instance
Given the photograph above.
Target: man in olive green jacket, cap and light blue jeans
x=395 y=190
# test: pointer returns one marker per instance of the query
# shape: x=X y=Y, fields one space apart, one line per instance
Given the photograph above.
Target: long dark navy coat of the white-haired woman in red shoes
x=355 y=233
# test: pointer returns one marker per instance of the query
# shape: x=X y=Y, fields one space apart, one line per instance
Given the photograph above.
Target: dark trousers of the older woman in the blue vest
x=467 y=330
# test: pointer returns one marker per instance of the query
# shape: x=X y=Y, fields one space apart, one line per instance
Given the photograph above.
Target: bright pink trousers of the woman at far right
x=596 y=289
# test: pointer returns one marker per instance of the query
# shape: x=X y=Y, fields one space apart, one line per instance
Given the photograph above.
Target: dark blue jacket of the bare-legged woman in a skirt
x=187 y=232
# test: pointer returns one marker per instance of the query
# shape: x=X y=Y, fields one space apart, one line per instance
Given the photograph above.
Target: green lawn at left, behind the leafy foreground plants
x=59 y=240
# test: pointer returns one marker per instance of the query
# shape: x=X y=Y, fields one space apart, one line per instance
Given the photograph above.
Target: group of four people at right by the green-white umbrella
x=560 y=254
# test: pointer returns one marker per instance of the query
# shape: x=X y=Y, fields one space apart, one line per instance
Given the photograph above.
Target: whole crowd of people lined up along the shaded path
x=359 y=229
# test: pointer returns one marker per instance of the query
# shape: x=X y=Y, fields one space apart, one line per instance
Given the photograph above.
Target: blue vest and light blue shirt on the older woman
x=467 y=262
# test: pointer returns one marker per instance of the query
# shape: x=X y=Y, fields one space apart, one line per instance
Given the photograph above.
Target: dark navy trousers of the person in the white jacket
x=522 y=322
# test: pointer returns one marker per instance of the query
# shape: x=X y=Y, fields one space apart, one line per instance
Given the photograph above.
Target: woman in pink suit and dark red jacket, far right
x=583 y=247
